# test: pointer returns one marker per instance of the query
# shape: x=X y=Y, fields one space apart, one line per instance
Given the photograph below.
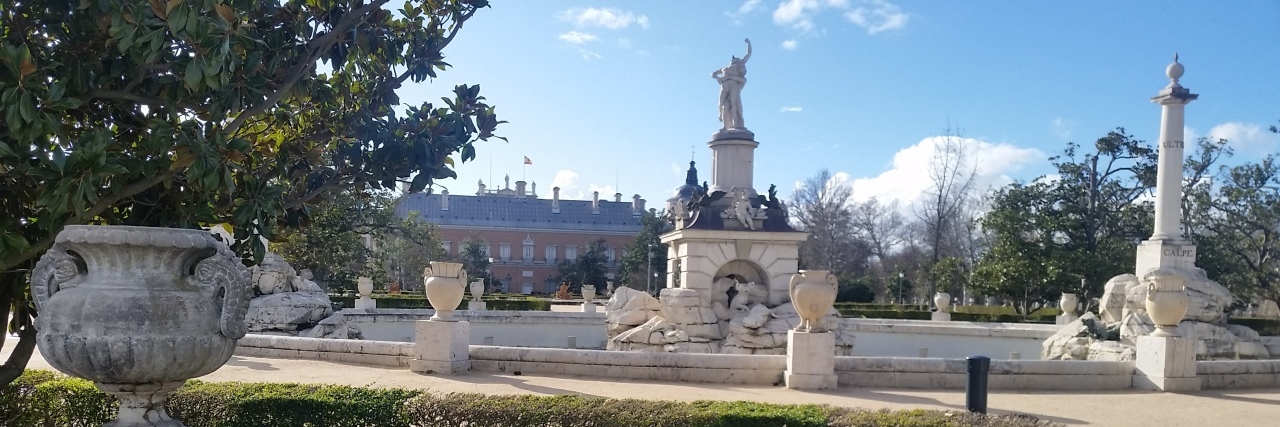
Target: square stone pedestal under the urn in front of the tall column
x=1167 y=364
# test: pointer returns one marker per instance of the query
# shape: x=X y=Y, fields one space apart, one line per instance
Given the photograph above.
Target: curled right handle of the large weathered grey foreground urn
x=227 y=281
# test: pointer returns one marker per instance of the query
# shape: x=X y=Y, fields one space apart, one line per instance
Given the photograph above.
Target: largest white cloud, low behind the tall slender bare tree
x=909 y=175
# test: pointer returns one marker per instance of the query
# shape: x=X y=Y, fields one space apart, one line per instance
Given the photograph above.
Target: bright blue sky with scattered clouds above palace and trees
x=616 y=97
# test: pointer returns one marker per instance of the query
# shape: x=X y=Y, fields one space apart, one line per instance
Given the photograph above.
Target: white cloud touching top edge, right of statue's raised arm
x=874 y=16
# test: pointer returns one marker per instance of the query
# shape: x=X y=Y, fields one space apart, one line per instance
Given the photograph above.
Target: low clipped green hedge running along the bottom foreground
x=43 y=398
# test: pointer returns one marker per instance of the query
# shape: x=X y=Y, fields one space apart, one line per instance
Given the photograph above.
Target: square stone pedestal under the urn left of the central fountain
x=441 y=348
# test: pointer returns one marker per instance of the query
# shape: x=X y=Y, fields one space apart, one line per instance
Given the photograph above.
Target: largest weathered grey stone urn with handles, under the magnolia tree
x=139 y=311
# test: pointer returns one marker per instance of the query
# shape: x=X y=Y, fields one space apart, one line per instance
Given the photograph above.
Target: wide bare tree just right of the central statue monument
x=824 y=208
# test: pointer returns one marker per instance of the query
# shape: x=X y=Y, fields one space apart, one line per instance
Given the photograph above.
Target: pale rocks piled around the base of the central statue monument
x=680 y=322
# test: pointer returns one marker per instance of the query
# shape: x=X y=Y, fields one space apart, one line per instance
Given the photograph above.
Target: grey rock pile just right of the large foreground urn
x=291 y=304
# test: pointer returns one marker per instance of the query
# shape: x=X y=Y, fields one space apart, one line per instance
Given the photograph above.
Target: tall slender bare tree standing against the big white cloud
x=952 y=178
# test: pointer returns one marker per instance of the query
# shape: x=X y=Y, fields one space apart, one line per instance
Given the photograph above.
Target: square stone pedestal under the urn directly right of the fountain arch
x=811 y=361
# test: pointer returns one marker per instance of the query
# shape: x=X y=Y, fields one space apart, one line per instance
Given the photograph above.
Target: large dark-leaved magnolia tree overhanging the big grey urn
x=186 y=113
